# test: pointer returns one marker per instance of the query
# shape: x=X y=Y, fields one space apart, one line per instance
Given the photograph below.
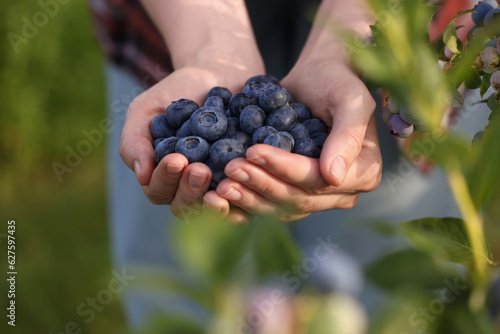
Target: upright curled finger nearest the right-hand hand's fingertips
x=193 y=185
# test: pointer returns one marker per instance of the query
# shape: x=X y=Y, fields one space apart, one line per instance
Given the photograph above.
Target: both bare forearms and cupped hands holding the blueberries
x=220 y=50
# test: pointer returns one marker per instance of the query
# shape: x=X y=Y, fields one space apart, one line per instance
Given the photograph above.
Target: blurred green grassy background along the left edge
x=51 y=90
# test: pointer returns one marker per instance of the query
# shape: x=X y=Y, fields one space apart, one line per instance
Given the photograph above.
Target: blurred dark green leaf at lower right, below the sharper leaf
x=409 y=268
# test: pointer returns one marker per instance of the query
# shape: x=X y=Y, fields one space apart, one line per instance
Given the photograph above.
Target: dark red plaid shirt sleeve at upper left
x=130 y=40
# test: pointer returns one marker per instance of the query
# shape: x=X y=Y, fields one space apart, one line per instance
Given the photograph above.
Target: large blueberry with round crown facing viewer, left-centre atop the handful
x=208 y=123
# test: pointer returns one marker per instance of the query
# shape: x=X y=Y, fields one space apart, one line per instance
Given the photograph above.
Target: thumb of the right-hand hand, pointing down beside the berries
x=345 y=141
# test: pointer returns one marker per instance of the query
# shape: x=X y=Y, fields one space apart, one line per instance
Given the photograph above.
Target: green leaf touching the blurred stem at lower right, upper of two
x=445 y=238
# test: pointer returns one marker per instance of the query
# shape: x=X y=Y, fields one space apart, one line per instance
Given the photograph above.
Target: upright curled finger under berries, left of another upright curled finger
x=165 y=179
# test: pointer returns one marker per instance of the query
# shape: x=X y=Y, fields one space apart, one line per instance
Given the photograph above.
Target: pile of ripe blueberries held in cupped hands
x=226 y=125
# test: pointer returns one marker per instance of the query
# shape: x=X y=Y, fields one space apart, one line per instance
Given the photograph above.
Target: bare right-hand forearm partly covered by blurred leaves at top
x=333 y=18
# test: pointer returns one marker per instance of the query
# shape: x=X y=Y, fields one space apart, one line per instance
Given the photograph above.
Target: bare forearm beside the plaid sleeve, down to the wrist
x=201 y=32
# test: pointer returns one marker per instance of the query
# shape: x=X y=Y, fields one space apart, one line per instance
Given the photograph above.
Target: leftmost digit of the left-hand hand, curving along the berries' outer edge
x=136 y=147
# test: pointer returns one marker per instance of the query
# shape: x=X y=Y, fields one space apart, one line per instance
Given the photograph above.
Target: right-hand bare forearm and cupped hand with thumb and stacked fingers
x=265 y=183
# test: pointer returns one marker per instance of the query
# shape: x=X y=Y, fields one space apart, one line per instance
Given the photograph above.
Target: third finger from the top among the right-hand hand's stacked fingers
x=245 y=198
